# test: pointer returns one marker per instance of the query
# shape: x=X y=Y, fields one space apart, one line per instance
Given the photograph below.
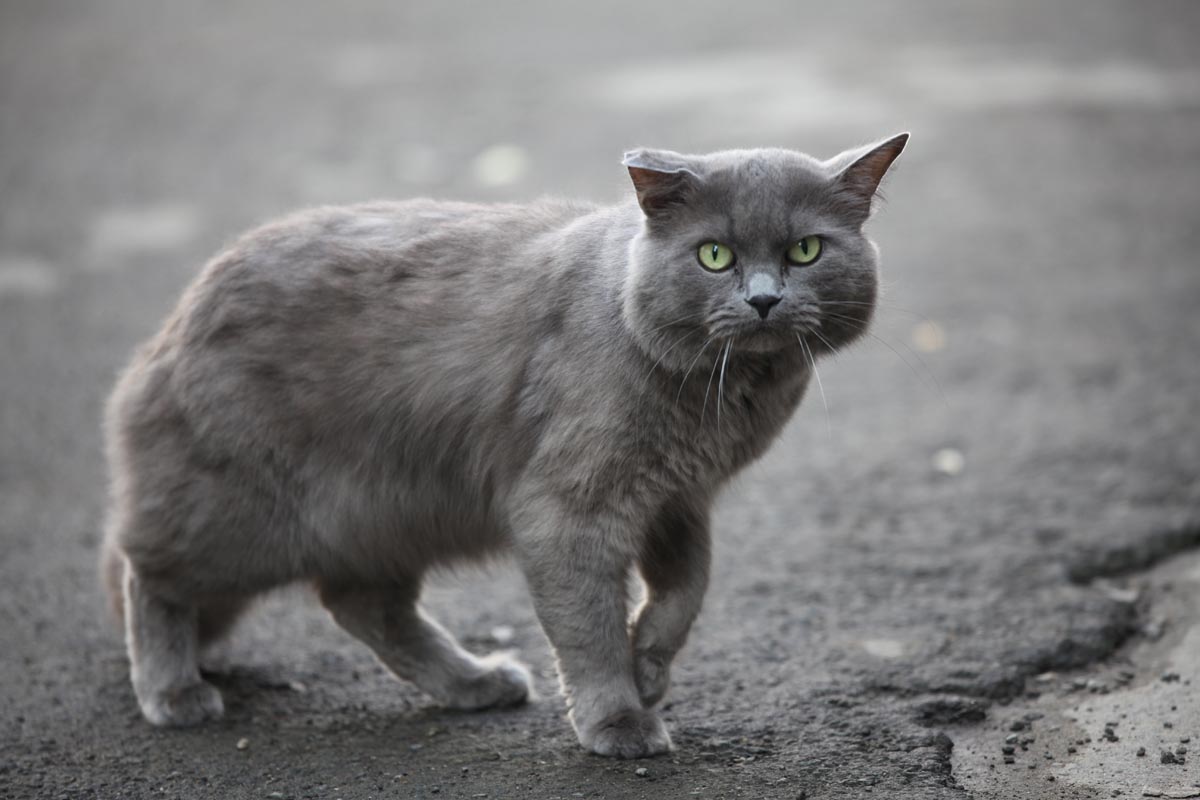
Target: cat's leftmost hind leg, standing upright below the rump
x=163 y=639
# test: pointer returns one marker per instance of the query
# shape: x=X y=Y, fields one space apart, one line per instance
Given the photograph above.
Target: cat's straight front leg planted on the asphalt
x=577 y=570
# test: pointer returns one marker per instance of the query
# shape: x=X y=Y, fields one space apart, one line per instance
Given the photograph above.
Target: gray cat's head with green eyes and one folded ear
x=764 y=248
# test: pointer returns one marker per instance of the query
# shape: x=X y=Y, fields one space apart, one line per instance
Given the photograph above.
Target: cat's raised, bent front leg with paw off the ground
x=674 y=562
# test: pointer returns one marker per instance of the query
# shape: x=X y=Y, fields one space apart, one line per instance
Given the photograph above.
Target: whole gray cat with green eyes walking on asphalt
x=352 y=396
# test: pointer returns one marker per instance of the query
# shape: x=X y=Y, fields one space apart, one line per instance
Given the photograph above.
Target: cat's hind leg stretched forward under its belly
x=418 y=649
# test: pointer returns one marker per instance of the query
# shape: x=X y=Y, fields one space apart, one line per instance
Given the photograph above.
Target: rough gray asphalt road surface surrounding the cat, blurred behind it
x=1005 y=484
